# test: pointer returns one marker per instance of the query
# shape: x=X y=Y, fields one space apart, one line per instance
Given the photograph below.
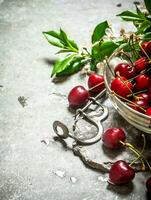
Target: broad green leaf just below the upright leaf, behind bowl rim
x=103 y=49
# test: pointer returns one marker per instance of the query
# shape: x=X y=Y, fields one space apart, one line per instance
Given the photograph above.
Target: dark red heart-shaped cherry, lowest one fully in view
x=121 y=173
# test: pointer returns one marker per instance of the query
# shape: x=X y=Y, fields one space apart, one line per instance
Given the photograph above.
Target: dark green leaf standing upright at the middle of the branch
x=99 y=31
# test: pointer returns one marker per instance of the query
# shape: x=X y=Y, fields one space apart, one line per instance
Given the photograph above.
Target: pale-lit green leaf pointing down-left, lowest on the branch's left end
x=62 y=64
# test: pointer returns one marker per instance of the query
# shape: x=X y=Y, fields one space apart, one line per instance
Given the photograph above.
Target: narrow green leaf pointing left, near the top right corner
x=130 y=16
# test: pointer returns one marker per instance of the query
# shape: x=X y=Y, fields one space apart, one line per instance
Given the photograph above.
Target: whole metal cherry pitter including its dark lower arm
x=93 y=113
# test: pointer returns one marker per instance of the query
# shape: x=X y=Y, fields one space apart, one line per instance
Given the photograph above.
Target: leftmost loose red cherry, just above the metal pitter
x=78 y=97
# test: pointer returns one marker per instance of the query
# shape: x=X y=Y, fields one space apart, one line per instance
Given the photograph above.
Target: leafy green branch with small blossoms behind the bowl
x=75 y=58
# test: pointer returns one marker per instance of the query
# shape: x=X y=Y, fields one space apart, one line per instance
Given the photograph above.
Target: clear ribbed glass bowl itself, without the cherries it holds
x=139 y=120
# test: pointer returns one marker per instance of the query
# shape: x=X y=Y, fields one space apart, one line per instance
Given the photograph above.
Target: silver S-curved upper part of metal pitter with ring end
x=94 y=117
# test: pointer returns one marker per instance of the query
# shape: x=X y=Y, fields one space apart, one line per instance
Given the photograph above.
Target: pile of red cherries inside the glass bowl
x=132 y=82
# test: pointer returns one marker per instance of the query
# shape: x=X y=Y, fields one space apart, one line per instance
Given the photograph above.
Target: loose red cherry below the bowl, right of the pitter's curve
x=112 y=137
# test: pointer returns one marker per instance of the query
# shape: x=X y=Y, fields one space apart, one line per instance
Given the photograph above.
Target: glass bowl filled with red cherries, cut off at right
x=128 y=84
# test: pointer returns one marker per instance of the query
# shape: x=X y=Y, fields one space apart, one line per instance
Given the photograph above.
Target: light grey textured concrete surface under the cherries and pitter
x=29 y=169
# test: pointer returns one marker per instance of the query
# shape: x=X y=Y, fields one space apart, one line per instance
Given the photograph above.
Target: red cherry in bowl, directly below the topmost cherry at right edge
x=141 y=64
